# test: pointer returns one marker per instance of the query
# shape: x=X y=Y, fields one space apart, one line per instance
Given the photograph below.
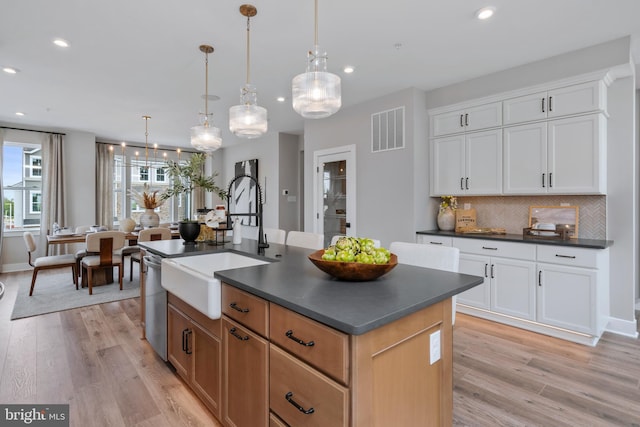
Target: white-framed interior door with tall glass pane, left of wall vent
x=335 y=192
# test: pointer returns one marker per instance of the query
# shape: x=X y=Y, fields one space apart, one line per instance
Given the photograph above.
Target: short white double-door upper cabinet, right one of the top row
x=575 y=99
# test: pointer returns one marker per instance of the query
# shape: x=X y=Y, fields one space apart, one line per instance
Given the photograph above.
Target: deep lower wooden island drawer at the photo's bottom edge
x=300 y=395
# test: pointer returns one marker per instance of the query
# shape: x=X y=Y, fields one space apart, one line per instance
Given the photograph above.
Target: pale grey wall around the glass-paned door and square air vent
x=386 y=181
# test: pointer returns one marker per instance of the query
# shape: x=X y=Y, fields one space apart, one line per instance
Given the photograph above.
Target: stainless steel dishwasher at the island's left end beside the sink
x=155 y=315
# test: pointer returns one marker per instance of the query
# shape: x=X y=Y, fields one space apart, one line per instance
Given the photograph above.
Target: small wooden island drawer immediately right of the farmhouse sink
x=250 y=310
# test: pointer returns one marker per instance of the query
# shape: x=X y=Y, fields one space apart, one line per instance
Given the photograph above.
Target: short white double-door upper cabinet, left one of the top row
x=469 y=119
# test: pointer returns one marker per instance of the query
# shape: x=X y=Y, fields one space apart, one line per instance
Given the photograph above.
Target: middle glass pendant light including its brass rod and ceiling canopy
x=248 y=120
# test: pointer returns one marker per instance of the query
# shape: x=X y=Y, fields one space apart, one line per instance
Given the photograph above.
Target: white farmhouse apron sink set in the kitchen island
x=191 y=278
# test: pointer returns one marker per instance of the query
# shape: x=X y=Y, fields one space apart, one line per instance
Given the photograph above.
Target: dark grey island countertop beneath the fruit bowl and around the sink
x=292 y=281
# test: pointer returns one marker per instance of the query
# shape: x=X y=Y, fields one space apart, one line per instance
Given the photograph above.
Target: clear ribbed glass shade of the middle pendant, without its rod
x=248 y=120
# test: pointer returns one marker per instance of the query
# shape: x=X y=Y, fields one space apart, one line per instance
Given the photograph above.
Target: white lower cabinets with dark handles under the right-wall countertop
x=556 y=290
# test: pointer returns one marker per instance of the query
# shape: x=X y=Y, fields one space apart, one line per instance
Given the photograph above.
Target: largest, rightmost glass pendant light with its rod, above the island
x=316 y=93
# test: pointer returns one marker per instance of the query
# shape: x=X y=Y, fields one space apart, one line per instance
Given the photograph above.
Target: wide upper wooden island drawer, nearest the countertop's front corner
x=319 y=345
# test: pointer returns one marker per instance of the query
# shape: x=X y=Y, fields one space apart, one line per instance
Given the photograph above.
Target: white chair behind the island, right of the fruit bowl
x=429 y=256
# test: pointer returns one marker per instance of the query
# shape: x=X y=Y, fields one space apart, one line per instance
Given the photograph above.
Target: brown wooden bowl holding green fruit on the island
x=352 y=271
